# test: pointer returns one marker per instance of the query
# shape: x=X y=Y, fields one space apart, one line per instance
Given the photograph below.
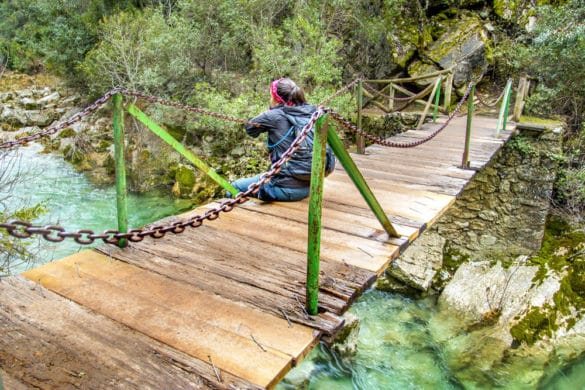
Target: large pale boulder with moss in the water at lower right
x=490 y=300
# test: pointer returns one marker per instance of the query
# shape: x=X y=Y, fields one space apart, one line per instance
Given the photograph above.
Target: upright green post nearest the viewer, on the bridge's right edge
x=315 y=208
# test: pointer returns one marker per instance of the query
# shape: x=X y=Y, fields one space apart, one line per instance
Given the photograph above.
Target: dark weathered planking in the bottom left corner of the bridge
x=51 y=342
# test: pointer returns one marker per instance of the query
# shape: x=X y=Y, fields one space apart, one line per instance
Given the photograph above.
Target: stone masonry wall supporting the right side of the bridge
x=503 y=210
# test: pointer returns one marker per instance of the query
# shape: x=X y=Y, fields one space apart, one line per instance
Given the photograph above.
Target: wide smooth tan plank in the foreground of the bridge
x=180 y=315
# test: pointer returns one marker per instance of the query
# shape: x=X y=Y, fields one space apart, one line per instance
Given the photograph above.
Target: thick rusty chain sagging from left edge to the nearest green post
x=53 y=233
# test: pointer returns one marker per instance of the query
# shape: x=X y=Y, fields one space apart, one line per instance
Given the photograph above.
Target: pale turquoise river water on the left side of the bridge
x=73 y=202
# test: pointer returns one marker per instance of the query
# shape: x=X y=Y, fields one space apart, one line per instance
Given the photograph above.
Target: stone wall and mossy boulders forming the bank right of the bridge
x=506 y=266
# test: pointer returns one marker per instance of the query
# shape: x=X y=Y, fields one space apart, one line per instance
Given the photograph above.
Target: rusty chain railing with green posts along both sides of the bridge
x=324 y=134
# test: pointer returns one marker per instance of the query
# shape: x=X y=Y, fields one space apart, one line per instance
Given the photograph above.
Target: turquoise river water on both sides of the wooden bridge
x=399 y=343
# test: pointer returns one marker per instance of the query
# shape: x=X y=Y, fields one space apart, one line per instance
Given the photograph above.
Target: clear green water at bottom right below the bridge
x=400 y=346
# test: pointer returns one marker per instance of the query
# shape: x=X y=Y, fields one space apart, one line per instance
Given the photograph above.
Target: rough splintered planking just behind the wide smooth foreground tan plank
x=263 y=275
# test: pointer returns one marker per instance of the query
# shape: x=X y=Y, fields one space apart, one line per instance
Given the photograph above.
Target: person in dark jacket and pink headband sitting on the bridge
x=288 y=107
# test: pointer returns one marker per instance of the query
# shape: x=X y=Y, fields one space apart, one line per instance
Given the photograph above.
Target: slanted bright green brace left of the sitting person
x=165 y=136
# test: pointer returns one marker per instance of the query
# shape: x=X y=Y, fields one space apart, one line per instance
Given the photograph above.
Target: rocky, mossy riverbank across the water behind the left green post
x=30 y=104
